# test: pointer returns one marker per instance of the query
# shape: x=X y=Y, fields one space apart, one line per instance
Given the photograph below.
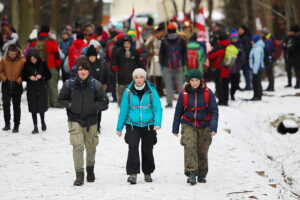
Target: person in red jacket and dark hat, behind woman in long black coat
x=48 y=50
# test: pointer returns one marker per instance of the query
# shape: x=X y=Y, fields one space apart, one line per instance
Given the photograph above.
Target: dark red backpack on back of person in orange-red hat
x=173 y=55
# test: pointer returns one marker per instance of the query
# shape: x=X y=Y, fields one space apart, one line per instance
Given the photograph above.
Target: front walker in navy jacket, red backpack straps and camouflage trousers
x=197 y=111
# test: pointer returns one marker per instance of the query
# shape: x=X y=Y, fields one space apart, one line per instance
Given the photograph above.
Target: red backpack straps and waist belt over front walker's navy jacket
x=185 y=97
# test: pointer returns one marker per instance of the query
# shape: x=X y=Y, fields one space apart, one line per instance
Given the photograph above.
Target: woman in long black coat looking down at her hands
x=36 y=73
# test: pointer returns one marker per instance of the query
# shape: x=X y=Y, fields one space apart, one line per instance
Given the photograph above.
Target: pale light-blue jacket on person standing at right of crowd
x=256 y=58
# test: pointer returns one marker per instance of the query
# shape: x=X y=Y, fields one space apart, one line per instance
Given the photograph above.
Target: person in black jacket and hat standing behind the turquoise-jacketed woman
x=125 y=60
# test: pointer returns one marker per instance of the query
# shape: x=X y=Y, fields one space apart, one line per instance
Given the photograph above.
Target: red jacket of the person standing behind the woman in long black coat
x=53 y=59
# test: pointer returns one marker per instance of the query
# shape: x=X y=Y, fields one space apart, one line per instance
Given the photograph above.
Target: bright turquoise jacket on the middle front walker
x=140 y=113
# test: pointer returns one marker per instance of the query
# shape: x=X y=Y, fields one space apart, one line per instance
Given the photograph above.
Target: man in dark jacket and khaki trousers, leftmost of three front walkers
x=83 y=96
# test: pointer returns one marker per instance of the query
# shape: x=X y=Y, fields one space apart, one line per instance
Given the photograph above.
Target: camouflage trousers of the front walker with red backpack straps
x=196 y=143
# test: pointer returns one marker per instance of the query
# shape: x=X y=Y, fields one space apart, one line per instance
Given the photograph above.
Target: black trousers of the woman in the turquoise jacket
x=132 y=138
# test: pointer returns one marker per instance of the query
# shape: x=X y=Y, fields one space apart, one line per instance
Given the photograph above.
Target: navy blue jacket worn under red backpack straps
x=199 y=115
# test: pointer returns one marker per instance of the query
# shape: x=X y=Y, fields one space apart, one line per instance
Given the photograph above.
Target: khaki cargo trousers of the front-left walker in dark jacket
x=80 y=137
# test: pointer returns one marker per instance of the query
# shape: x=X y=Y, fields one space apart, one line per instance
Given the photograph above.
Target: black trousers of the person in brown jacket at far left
x=15 y=96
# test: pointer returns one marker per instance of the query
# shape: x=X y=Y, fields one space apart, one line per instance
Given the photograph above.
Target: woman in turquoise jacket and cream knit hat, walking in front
x=141 y=113
